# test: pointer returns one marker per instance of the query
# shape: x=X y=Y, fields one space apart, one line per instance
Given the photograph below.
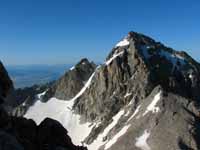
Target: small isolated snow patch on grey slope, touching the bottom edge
x=141 y=142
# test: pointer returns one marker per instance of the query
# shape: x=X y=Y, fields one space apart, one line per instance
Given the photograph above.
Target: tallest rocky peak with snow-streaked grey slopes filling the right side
x=130 y=80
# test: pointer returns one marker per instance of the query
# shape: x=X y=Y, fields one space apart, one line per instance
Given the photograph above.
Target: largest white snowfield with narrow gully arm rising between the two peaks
x=61 y=111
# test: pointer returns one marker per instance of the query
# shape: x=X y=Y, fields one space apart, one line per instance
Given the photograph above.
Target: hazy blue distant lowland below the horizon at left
x=28 y=75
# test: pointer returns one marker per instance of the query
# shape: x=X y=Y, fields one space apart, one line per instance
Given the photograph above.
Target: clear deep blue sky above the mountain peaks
x=63 y=31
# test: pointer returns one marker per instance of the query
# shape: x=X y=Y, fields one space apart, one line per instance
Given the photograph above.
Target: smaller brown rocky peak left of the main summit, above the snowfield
x=71 y=82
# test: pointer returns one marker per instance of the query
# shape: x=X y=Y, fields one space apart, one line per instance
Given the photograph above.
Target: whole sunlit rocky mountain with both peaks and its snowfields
x=145 y=96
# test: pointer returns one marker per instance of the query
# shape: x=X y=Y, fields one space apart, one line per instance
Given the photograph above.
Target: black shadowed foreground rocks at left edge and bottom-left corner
x=17 y=133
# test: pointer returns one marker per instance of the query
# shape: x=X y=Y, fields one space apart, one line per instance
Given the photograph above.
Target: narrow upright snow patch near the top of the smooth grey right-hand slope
x=152 y=106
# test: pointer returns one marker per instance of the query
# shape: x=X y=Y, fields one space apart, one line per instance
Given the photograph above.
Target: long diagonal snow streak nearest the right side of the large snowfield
x=99 y=141
